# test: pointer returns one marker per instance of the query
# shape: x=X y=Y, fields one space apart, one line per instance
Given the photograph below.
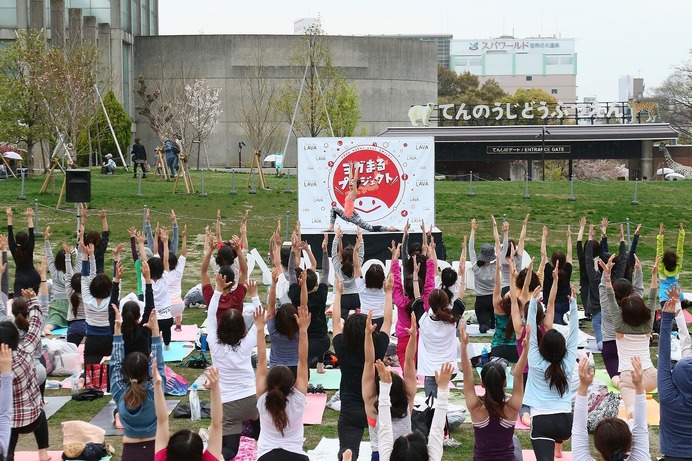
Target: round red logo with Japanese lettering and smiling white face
x=382 y=182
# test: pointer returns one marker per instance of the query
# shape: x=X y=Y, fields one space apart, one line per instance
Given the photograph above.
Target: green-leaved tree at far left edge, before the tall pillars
x=23 y=111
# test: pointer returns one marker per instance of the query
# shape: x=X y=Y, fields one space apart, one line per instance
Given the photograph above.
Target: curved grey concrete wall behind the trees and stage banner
x=391 y=74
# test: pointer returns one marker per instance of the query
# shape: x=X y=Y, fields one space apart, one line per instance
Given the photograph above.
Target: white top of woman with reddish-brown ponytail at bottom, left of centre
x=270 y=437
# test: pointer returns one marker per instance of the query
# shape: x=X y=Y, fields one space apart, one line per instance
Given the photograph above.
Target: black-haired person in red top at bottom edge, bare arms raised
x=186 y=444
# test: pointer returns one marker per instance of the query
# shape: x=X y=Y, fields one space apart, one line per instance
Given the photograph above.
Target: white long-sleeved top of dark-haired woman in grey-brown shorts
x=236 y=376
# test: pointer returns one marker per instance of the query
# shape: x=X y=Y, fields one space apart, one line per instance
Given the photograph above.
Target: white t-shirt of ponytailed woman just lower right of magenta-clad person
x=437 y=345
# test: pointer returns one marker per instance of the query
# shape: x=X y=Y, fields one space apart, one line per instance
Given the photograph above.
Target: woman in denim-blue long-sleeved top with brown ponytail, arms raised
x=133 y=391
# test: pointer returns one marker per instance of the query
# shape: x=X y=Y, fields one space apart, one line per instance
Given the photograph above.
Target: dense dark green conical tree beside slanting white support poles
x=101 y=135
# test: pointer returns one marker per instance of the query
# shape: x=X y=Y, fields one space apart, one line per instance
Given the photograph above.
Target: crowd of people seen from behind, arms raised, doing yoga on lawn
x=531 y=314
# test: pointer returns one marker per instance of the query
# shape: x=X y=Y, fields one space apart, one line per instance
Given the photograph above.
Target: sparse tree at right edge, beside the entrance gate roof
x=674 y=99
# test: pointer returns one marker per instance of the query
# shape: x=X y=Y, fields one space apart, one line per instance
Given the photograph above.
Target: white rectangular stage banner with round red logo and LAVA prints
x=397 y=174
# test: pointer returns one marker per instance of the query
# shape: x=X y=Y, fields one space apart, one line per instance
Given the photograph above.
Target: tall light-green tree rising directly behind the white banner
x=312 y=57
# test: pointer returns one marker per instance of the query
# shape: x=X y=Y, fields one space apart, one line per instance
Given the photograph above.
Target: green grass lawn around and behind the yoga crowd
x=658 y=201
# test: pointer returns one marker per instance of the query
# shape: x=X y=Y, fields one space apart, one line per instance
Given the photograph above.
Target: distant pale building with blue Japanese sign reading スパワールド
x=549 y=64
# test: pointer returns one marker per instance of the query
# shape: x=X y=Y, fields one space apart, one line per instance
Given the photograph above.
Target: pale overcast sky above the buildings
x=642 y=38
